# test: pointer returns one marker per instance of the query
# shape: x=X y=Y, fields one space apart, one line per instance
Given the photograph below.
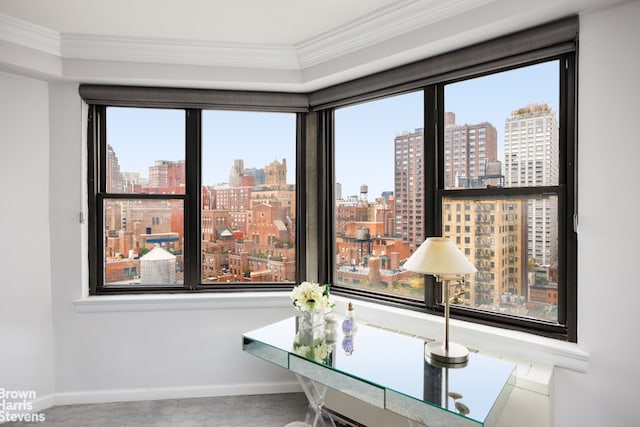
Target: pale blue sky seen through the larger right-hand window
x=365 y=132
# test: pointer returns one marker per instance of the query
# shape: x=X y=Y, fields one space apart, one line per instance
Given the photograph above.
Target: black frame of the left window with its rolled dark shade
x=192 y=102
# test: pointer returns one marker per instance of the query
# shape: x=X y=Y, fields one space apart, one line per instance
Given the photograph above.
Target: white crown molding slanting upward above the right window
x=384 y=24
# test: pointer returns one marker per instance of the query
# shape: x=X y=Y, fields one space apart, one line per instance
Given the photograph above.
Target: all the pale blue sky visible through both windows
x=364 y=133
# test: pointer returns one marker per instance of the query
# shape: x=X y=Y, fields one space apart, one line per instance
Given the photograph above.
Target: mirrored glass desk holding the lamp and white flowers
x=385 y=369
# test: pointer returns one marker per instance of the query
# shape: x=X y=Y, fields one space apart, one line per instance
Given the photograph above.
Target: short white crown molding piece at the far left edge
x=29 y=35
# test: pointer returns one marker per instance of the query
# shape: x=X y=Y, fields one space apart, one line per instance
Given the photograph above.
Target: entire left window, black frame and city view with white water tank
x=192 y=199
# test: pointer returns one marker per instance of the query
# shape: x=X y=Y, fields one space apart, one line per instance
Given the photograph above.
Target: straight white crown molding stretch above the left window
x=170 y=51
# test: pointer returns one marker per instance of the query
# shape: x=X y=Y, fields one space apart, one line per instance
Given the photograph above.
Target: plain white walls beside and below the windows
x=131 y=353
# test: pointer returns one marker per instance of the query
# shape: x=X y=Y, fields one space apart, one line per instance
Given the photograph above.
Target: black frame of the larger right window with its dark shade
x=557 y=41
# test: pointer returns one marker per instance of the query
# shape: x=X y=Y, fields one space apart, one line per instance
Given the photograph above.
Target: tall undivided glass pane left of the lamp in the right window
x=379 y=179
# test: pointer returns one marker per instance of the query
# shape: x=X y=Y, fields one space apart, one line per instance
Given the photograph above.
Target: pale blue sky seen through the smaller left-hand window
x=159 y=135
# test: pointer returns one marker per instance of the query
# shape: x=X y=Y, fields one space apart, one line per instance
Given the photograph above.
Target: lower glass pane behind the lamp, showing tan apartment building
x=513 y=244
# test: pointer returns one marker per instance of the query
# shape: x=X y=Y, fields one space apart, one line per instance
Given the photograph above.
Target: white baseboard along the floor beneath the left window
x=130 y=395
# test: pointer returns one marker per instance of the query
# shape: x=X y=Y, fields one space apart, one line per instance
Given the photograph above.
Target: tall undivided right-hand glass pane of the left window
x=248 y=197
